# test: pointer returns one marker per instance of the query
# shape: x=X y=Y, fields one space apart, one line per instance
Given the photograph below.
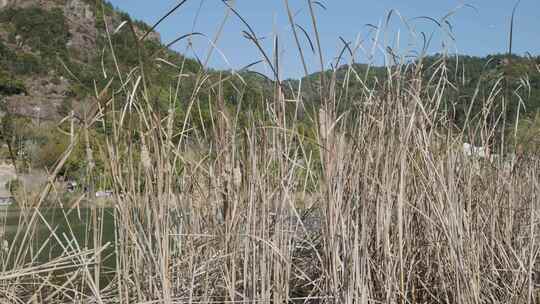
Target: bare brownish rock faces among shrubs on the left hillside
x=45 y=92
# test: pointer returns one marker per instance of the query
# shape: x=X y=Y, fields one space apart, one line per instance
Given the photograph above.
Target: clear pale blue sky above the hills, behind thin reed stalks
x=478 y=31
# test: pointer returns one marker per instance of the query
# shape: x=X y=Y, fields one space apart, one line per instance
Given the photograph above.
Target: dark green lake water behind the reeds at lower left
x=54 y=229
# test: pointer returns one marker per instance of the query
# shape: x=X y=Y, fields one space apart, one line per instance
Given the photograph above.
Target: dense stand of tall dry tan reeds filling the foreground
x=377 y=205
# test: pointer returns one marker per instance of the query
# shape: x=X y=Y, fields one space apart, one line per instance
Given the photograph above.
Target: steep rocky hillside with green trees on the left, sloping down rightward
x=54 y=55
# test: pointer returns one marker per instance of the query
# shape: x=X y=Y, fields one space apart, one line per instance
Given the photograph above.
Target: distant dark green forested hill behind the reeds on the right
x=498 y=88
